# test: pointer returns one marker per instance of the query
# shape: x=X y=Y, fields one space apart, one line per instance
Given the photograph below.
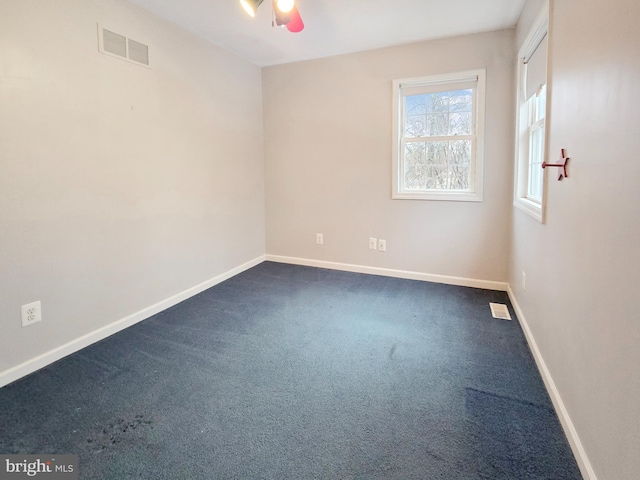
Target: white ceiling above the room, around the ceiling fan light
x=333 y=27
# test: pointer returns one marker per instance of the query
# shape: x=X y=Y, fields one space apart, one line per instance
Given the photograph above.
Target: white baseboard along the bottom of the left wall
x=56 y=354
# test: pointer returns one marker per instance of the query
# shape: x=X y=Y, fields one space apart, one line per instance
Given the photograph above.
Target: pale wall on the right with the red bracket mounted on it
x=582 y=297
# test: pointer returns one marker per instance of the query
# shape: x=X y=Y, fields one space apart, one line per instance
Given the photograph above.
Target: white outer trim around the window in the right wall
x=537 y=31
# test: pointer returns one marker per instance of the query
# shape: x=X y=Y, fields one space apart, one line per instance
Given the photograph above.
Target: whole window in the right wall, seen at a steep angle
x=529 y=192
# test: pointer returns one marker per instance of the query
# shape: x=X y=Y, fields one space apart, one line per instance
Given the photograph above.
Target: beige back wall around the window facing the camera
x=328 y=162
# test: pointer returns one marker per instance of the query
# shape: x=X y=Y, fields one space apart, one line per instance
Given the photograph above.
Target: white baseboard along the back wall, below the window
x=388 y=272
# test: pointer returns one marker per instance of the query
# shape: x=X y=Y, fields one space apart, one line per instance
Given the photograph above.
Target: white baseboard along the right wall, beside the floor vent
x=572 y=435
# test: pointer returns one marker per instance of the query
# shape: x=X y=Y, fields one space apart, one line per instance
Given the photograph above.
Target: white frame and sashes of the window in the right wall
x=521 y=199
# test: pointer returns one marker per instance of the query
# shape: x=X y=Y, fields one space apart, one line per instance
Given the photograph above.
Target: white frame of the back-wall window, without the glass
x=451 y=81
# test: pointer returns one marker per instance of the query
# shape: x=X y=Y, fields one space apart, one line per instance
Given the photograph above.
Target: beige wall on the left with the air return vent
x=120 y=186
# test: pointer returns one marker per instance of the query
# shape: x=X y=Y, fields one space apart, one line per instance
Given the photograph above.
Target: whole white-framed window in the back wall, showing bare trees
x=439 y=137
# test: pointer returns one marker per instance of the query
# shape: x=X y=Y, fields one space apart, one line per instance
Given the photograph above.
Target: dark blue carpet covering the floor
x=289 y=372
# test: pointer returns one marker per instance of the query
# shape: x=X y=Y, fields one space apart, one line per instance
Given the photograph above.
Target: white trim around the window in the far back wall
x=479 y=76
